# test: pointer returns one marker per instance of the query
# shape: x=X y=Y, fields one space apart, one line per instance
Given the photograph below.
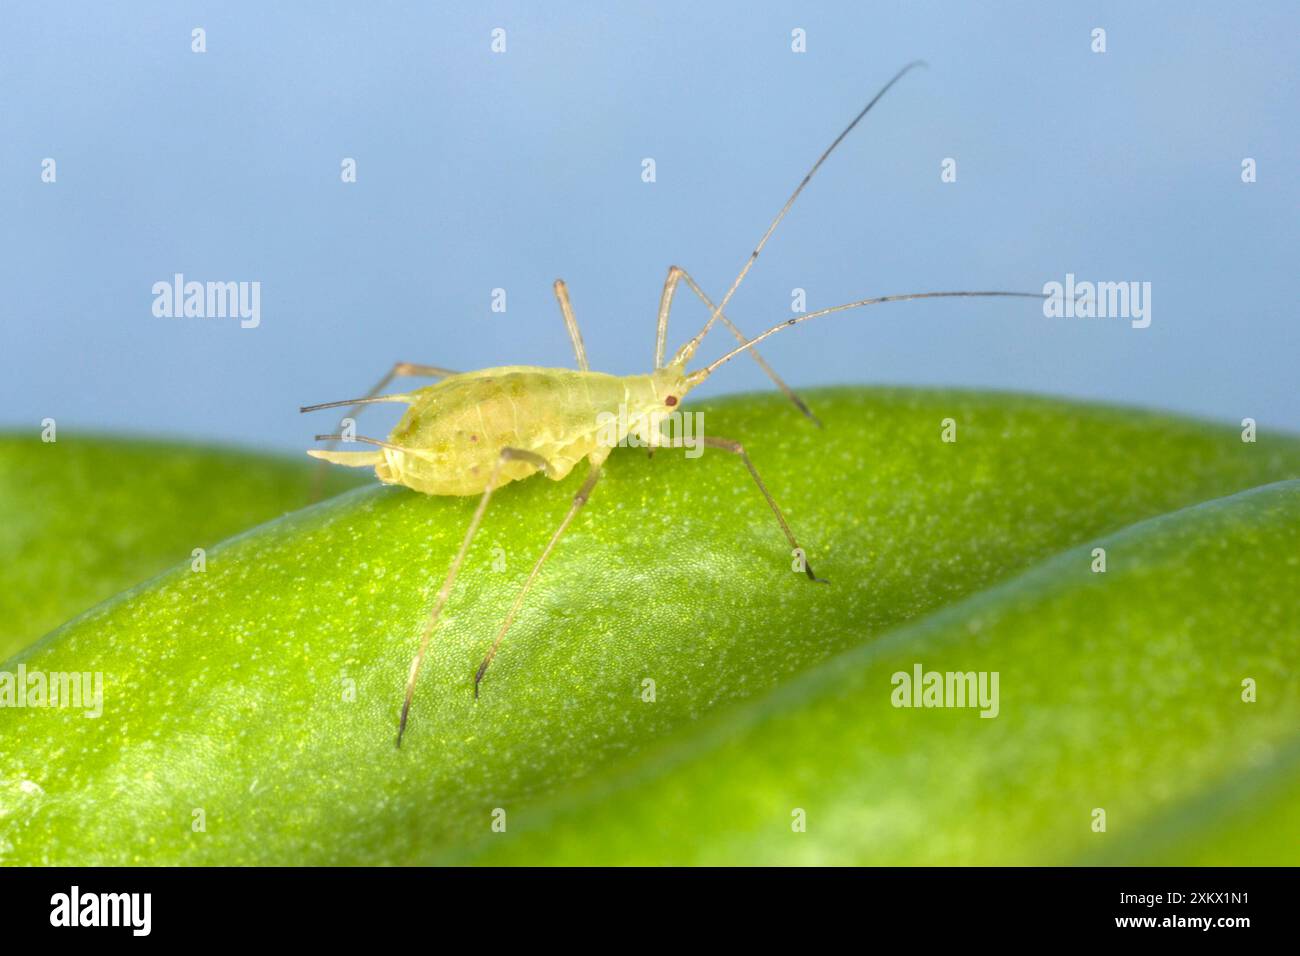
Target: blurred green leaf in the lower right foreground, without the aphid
x=1119 y=693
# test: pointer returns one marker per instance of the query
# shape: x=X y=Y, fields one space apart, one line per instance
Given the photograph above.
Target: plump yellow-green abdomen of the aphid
x=462 y=423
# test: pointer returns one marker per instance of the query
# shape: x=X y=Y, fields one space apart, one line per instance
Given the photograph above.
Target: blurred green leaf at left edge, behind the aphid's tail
x=89 y=516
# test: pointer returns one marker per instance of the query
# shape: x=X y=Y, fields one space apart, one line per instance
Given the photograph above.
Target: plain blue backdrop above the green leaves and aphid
x=482 y=171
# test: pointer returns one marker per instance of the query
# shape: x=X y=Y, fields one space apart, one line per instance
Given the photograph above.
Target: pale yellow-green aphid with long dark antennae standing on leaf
x=473 y=432
